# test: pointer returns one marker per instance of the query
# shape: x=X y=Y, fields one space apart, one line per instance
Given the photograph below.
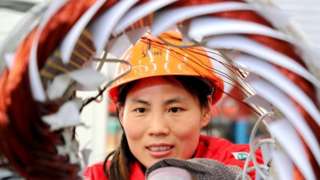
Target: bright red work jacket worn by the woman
x=209 y=147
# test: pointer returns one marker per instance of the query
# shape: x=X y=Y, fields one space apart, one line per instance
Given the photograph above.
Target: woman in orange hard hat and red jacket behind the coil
x=162 y=105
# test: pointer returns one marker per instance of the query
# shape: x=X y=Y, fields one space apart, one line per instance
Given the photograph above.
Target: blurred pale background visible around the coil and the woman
x=231 y=119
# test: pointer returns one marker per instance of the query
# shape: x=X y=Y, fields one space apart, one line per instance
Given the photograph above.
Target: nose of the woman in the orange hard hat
x=158 y=126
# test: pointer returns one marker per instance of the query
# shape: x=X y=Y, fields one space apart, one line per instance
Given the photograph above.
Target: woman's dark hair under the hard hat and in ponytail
x=122 y=157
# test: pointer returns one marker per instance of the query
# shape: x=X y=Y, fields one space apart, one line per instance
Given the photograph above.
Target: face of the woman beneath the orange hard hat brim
x=161 y=119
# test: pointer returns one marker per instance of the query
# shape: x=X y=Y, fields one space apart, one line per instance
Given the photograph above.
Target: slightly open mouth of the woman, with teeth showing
x=160 y=150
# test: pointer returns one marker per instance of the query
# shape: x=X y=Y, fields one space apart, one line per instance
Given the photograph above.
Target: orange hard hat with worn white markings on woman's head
x=151 y=56
